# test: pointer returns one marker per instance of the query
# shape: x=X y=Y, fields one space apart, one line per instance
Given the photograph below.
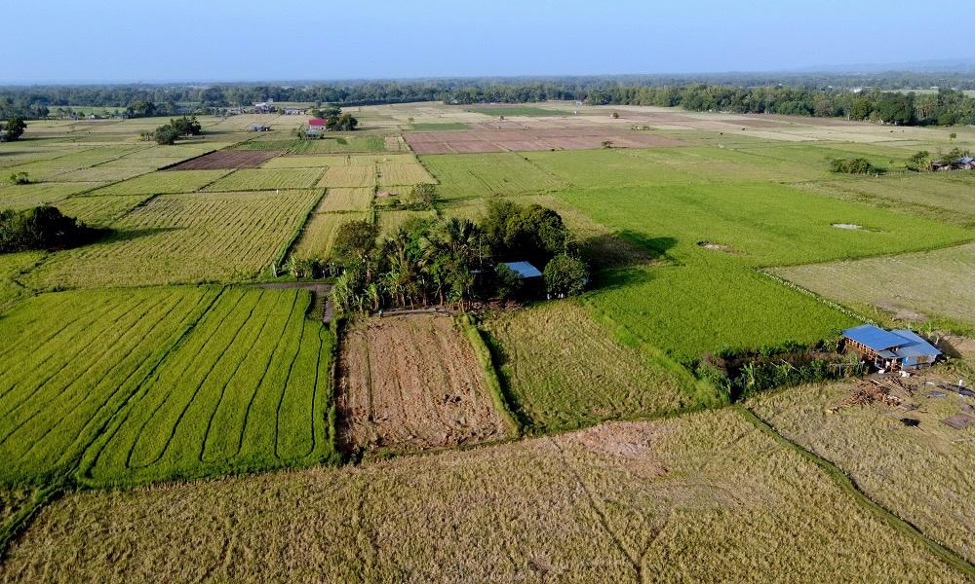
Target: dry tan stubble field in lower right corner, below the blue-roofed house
x=914 y=472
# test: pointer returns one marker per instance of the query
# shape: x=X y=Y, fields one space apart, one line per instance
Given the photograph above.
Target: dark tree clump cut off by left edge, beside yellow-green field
x=42 y=228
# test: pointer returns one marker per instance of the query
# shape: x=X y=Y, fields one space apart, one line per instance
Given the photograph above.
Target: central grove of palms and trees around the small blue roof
x=453 y=261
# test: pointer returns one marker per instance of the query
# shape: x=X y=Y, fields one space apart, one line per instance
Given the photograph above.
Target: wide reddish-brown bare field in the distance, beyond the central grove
x=574 y=136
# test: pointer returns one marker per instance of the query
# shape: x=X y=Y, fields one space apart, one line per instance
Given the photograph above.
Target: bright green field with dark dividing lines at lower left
x=200 y=382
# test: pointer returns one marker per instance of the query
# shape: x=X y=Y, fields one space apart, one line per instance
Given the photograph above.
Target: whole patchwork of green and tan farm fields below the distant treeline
x=167 y=359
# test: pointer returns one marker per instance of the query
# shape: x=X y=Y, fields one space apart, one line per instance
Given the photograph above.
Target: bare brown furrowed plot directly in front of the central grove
x=412 y=382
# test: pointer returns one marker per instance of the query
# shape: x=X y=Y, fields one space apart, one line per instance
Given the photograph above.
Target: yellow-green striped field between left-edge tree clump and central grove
x=185 y=238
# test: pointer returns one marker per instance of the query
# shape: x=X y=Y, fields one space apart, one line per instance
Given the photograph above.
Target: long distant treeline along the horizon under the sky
x=857 y=97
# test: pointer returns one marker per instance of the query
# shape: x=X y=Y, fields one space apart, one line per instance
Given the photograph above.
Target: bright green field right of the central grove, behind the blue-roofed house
x=706 y=300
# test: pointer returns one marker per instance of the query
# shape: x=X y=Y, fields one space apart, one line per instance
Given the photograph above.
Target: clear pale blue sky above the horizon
x=244 y=40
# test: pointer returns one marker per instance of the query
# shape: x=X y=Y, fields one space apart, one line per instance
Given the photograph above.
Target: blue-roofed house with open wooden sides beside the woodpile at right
x=892 y=350
